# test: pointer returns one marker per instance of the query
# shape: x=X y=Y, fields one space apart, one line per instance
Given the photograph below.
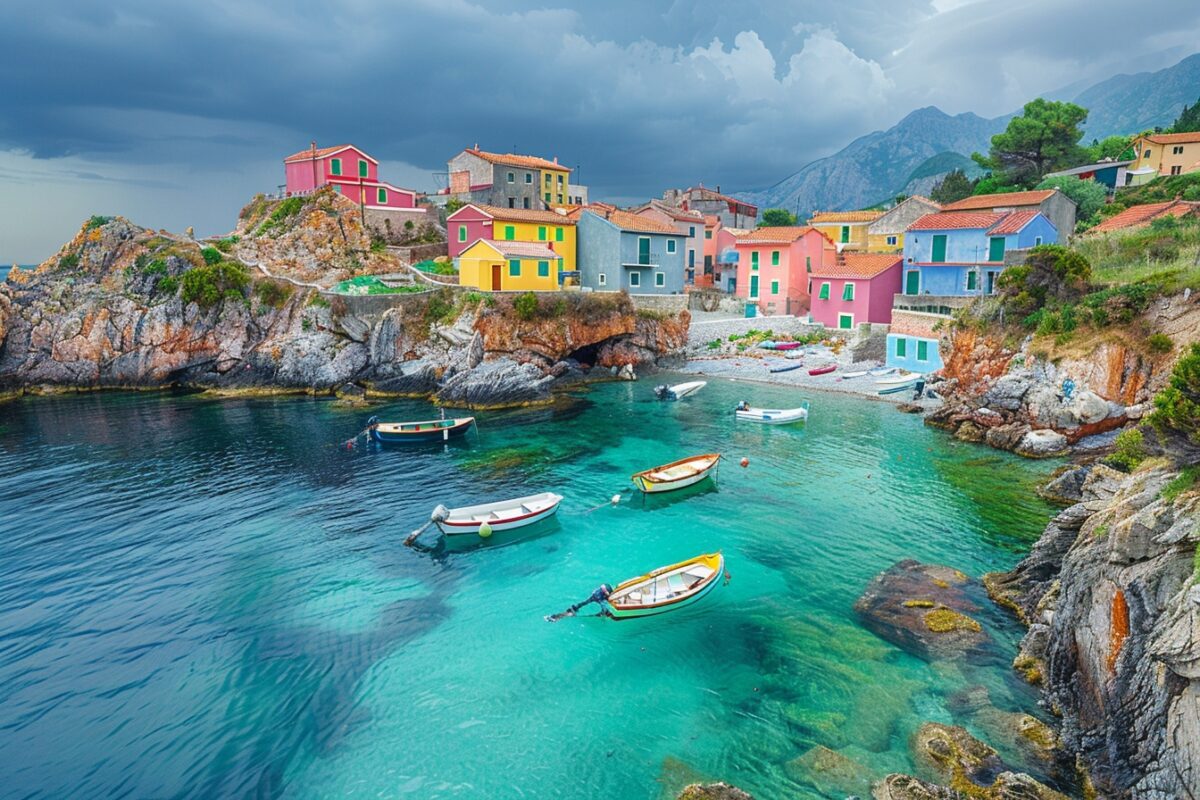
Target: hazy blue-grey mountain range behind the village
x=905 y=159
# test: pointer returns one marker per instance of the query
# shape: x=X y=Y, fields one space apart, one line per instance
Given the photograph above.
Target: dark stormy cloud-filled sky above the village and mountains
x=175 y=113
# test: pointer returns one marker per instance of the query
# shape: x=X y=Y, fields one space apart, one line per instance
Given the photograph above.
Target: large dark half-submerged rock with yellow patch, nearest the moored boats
x=925 y=610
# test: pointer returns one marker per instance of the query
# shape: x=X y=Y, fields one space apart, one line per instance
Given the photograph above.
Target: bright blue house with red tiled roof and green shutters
x=961 y=254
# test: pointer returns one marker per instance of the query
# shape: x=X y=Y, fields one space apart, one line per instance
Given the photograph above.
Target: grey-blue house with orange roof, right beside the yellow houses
x=619 y=250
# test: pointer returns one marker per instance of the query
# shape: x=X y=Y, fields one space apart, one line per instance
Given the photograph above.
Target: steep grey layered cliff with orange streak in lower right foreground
x=1113 y=603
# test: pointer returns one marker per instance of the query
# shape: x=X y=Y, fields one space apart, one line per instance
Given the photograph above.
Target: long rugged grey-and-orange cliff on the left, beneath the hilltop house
x=122 y=306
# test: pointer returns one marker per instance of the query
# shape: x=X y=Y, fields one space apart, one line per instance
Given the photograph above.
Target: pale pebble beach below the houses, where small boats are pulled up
x=755 y=369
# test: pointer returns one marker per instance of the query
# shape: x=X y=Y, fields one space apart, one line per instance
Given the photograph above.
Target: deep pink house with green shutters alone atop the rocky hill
x=349 y=171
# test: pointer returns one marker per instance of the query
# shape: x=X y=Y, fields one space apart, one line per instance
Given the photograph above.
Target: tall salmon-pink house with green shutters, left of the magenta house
x=775 y=266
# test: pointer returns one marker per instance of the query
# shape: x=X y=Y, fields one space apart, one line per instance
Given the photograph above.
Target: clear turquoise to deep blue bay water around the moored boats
x=208 y=598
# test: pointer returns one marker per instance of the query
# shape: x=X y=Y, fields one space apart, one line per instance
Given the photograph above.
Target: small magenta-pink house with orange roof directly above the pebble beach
x=856 y=288
